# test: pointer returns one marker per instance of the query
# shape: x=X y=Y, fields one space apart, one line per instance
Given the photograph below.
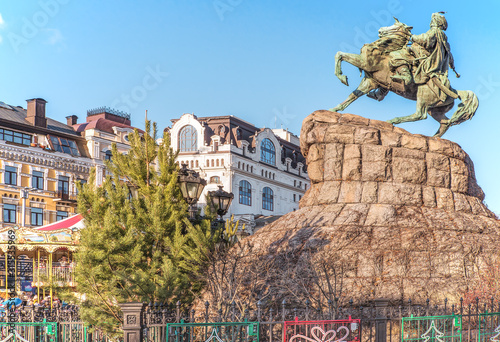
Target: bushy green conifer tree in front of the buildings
x=137 y=240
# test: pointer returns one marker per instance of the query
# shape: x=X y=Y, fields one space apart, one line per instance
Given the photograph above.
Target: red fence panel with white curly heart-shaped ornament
x=322 y=331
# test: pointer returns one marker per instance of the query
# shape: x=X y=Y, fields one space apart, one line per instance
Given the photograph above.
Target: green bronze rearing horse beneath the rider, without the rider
x=386 y=58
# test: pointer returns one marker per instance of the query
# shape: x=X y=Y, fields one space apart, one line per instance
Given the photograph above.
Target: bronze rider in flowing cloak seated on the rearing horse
x=433 y=52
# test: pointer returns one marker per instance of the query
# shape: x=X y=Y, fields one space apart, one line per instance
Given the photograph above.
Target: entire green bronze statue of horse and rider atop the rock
x=417 y=72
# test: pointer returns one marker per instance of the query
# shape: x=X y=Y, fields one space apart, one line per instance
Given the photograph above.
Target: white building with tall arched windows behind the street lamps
x=263 y=168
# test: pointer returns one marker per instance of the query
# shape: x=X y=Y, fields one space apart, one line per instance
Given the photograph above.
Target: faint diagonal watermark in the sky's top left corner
x=32 y=26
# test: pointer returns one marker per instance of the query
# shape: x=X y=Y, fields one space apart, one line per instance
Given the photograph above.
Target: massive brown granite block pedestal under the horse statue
x=388 y=214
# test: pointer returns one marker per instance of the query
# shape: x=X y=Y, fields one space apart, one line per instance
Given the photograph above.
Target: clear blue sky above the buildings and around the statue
x=268 y=62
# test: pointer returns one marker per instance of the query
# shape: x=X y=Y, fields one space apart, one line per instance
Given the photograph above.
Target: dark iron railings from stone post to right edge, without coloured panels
x=380 y=321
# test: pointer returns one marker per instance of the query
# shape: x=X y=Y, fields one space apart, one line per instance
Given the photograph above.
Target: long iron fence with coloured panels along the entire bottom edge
x=378 y=321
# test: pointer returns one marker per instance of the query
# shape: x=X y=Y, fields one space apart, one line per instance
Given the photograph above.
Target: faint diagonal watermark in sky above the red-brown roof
x=152 y=79
